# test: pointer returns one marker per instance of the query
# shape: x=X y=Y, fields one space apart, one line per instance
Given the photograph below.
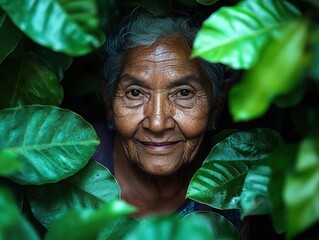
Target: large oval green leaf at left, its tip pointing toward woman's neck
x=52 y=143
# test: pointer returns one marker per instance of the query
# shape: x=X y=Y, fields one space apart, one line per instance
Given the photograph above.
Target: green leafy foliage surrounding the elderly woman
x=45 y=150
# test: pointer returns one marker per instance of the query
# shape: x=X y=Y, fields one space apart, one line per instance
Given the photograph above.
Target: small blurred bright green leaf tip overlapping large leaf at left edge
x=9 y=162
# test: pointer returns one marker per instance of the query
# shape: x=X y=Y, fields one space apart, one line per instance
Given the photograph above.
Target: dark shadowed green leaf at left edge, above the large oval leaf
x=28 y=81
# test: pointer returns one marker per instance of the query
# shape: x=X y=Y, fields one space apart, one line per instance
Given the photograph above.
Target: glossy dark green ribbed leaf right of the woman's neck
x=220 y=179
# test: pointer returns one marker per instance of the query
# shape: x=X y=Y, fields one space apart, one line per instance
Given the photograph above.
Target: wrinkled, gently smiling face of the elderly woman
x=162 y=107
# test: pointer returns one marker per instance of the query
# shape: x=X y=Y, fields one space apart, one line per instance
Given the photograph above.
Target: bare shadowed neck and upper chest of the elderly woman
x=150 y=194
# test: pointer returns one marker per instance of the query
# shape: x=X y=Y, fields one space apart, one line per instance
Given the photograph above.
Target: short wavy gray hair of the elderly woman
x=144 y=29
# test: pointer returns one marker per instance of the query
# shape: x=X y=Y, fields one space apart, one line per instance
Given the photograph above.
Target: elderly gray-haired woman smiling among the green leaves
x=162 y=104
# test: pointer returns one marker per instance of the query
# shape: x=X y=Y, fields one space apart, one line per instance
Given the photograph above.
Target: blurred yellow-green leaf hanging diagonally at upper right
x=277 y=72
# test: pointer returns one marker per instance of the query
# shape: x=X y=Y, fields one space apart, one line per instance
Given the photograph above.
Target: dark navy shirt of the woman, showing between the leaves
x=104 y=155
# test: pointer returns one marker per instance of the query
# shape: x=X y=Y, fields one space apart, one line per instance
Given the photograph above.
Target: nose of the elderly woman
x=158 y=114
